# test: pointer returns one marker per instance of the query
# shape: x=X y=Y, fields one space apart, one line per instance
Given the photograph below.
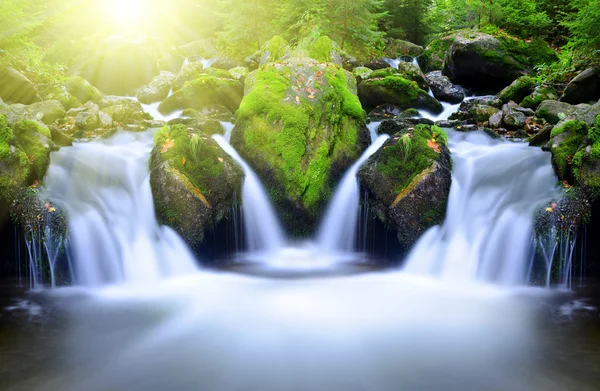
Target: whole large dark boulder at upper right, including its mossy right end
x=487 y=63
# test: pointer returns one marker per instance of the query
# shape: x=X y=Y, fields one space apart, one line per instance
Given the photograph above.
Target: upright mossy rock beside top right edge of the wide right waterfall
x=566 y=139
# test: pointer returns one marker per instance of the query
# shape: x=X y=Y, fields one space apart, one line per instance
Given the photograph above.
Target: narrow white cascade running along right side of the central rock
x=338 y=230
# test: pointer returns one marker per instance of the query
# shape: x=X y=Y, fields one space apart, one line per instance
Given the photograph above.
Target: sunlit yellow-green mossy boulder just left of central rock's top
x=205 y=91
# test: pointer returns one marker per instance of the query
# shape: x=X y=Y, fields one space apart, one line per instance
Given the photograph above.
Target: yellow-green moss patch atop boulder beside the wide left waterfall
x=192 y=153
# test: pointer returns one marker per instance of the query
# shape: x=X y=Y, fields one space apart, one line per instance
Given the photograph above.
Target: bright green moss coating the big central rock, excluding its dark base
x=299 y=133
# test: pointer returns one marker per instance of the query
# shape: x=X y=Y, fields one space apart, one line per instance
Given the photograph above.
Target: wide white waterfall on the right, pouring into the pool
x=496 y=188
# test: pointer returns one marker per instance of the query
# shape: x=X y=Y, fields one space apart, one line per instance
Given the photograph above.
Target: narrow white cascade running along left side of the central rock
x=263 y=230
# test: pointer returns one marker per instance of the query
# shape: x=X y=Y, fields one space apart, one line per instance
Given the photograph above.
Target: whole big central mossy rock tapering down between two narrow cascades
x=300 y=126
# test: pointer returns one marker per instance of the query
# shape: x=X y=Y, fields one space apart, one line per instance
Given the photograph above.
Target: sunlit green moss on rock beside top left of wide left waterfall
x=34 y=139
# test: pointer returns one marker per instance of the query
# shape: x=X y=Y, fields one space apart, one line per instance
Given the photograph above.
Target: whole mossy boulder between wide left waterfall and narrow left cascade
x=194 y=182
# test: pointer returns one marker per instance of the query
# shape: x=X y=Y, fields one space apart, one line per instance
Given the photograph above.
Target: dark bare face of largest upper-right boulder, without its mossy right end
x=481 y=61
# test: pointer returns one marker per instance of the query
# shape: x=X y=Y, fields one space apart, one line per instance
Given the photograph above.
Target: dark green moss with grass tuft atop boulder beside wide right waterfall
x=401 y=170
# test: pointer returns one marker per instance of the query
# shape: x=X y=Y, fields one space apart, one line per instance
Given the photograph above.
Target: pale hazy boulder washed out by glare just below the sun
x=104 y=66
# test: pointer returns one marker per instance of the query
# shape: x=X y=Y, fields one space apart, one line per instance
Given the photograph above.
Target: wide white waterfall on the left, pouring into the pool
x=104 y=186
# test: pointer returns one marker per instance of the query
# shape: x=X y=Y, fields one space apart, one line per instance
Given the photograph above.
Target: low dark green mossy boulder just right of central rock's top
x=387 y=86
